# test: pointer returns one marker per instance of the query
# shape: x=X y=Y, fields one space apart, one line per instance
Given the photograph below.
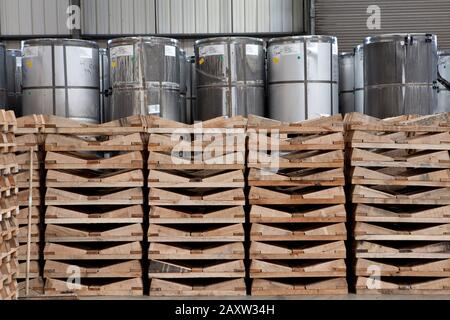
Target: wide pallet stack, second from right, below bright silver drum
x=297 y=202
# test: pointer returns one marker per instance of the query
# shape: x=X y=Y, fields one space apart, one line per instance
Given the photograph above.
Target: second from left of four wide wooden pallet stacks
x=196 y=231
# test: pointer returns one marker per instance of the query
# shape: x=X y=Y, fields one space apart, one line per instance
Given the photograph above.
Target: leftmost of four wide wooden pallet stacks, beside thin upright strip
x=94 y=212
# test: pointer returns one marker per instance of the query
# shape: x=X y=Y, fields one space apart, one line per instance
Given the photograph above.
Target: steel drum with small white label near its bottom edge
x=145 y=77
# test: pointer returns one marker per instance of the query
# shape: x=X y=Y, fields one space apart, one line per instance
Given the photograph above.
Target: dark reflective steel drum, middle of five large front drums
x=230 y=77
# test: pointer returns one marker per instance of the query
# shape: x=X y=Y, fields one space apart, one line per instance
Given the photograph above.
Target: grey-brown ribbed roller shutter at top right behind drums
x=347 y=19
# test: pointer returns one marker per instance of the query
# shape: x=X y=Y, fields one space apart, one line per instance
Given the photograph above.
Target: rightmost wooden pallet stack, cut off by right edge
x=401 y=177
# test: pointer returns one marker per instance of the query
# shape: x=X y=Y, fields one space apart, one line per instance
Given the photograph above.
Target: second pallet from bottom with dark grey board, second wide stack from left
x=169 y=269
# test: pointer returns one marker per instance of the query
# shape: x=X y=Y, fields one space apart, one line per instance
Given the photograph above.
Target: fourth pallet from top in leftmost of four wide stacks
x=94 y=179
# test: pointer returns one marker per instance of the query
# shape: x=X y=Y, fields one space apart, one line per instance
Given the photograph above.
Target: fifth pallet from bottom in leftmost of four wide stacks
x=61 y=215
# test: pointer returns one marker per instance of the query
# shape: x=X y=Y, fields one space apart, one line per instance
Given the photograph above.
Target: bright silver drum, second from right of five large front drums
x=303 y=77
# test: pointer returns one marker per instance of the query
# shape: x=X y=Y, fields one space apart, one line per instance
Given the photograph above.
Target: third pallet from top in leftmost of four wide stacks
x=76 y=160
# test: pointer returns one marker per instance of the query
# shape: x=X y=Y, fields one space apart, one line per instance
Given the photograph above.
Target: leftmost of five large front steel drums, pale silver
x=61 y=77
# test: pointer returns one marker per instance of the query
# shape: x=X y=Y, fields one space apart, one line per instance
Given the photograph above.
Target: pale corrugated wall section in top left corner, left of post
x=33 y=17
